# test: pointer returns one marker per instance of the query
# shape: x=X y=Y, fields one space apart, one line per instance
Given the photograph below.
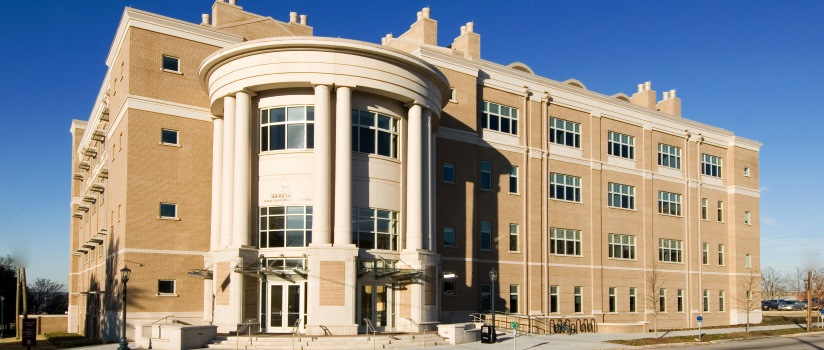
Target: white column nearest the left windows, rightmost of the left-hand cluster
x=242 y=171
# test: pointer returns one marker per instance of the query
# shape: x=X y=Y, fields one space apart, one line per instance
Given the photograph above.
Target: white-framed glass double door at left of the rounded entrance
x=286 y=306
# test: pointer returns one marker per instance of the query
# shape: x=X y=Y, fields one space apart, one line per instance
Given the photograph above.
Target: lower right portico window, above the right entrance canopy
x=375 y=228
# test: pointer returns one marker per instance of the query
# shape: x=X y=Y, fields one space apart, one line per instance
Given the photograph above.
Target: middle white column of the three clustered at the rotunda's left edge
x=228 y=174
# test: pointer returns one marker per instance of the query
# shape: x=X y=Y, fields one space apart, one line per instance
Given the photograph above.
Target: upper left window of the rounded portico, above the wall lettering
x=290 y=127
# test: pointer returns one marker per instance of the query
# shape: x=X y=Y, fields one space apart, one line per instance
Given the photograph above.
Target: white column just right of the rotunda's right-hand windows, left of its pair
x=414 y=178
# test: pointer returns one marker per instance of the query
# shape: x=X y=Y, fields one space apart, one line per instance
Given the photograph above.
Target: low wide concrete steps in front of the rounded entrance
x=356 y=342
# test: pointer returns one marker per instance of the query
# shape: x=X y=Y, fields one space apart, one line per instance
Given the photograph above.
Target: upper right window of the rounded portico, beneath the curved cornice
x=374 y=133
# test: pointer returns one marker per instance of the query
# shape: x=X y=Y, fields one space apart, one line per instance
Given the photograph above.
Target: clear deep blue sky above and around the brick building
x=753 y=67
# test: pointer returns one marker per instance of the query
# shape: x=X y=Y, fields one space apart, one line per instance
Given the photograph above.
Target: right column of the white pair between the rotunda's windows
x=343 y=166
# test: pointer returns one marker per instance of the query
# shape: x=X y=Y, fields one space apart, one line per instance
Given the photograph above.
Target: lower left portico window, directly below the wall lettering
x=285 y=226
